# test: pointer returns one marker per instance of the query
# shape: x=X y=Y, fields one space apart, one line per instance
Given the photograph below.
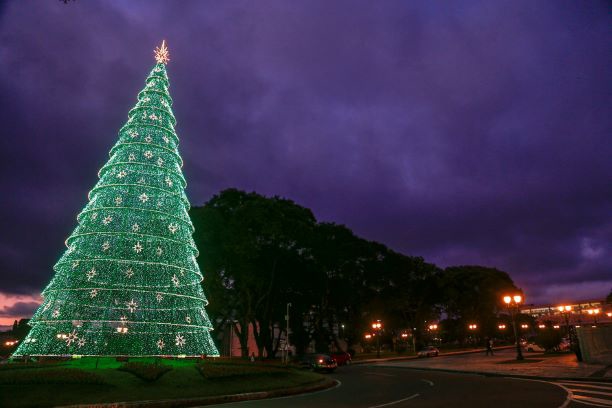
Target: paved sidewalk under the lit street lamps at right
x=537 y=365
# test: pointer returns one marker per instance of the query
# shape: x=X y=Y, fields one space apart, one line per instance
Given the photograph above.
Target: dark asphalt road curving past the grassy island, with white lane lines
x=377 y=387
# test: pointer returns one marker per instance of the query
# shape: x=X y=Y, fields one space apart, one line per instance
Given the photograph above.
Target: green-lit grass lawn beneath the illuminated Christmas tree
x=78 y=381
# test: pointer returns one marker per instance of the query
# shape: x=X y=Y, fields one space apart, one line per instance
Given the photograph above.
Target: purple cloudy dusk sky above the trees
x=472 y=132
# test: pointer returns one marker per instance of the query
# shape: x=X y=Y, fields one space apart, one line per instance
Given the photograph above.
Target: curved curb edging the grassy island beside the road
x=220 y=399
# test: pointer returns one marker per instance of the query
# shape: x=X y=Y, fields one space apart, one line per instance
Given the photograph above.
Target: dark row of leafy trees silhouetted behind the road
x=260 y=253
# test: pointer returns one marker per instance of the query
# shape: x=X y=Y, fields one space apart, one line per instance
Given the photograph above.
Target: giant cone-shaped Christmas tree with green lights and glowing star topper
x=129 y=284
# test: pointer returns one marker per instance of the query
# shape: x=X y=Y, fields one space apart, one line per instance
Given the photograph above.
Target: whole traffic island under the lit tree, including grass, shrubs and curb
x=184 y=384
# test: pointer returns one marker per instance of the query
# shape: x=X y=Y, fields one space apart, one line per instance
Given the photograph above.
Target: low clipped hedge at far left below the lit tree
x=49 y=376
